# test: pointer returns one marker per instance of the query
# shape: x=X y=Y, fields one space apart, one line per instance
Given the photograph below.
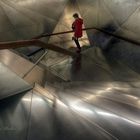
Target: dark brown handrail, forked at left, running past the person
x=37 y=42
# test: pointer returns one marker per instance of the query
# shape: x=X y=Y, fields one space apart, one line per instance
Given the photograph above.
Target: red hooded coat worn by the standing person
x=77 y=27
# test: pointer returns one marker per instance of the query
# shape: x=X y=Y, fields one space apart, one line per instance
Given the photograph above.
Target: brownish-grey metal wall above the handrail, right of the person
x=117 y=16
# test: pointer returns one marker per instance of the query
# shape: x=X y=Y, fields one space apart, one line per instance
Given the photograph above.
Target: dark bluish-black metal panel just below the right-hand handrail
x=124 y=52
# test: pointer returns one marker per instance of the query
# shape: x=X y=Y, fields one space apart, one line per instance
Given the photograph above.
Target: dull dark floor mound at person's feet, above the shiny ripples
x=94 y=65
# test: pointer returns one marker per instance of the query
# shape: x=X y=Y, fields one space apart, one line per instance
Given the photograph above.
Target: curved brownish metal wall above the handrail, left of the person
x=24 y=19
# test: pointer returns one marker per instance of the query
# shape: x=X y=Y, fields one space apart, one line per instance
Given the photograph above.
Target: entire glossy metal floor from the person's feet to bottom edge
x=99 y=101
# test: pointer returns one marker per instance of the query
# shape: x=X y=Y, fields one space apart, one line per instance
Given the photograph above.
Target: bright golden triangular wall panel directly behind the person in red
x=64 y=40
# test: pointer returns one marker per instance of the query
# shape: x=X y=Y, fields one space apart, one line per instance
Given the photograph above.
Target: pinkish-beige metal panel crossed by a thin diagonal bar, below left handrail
x=21 y=66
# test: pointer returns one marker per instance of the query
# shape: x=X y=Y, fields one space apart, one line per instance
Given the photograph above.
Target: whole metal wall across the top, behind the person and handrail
x=47 y=16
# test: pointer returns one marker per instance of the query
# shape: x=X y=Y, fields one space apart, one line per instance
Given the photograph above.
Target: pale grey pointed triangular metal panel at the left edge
x=10 y=83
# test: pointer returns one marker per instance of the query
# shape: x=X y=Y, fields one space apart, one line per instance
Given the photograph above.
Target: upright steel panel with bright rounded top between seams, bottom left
x=42 y=119
